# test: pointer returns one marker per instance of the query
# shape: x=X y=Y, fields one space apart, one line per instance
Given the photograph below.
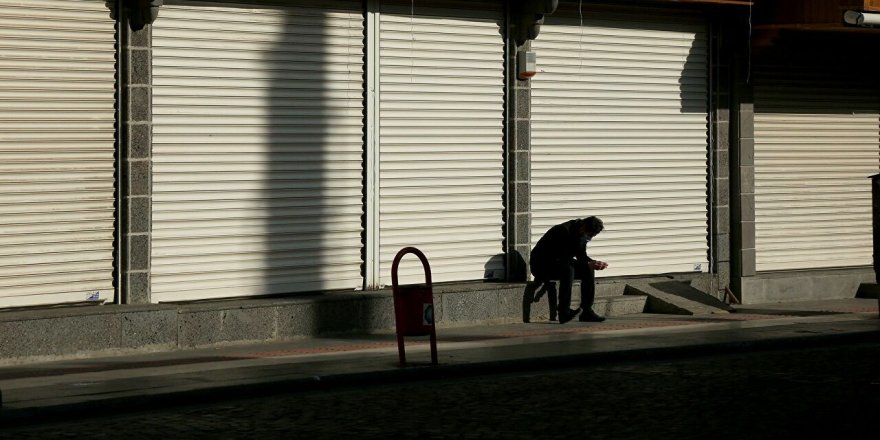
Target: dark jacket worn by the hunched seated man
x=560 y=244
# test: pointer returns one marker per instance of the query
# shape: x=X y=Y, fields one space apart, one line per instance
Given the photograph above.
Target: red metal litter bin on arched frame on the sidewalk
x=413 y=306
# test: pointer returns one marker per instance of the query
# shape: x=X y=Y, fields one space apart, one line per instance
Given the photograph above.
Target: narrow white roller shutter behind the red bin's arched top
x=441 y=103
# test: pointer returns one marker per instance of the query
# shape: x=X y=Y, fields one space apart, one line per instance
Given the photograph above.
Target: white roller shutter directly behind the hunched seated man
x=619 y=130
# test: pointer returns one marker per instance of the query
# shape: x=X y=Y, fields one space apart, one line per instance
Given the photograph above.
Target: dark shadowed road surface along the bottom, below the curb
x=831 y=392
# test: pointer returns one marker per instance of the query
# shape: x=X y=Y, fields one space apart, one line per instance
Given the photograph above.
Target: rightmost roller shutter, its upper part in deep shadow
x=817 y=140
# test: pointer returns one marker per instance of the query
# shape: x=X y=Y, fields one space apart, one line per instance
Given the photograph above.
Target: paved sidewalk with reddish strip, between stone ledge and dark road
x=88 y=387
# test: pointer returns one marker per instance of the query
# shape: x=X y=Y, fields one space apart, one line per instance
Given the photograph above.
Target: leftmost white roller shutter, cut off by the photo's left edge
x=57 y=86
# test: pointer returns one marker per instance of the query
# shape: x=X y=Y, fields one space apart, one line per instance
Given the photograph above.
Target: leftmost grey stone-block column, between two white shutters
x=136 y=149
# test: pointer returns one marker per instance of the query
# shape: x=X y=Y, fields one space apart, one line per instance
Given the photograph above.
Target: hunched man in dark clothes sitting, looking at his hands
x=561 y=254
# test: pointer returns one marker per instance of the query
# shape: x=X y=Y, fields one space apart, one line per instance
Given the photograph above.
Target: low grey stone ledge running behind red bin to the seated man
x=48 y=334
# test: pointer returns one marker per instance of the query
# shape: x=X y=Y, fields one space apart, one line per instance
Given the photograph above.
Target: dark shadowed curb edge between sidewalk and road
x=131 y=404
